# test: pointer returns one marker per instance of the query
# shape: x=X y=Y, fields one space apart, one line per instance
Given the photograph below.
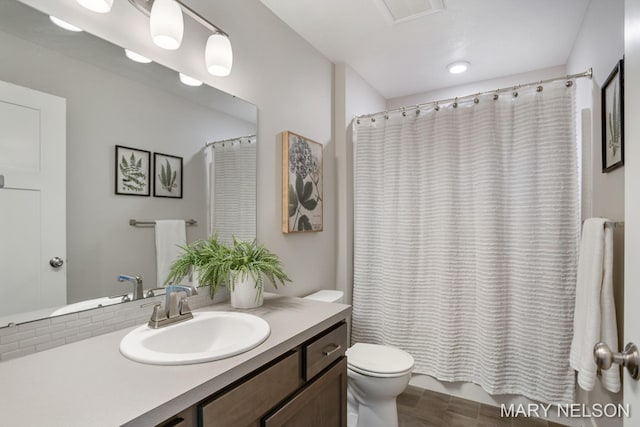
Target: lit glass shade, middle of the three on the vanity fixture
x=166 y=23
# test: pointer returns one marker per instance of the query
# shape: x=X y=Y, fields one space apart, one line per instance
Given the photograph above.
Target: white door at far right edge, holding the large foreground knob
x=631 y=388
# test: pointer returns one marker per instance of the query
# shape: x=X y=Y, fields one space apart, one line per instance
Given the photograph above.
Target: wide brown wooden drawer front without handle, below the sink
x=249 y=401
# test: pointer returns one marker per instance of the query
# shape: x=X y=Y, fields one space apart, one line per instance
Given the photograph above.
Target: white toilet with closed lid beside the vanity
x=377 y=375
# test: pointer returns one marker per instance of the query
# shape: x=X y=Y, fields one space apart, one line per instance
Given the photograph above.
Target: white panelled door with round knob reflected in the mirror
x=32 y=199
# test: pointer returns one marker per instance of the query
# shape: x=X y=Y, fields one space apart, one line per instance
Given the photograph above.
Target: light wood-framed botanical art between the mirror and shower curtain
x=301 y=184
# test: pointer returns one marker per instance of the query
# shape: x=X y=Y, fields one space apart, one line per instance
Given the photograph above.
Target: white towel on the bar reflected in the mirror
x=169 y=234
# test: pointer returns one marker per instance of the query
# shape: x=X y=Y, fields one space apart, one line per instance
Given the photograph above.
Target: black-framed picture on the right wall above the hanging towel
x=613 y=119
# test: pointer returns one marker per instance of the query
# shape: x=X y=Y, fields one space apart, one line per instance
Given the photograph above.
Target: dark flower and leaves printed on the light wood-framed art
x=304 y=165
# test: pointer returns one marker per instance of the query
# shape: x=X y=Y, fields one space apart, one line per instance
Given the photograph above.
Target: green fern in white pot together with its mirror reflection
x=242 y=267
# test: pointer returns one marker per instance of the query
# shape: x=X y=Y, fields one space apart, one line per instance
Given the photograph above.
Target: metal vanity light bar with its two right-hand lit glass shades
x=167 y=27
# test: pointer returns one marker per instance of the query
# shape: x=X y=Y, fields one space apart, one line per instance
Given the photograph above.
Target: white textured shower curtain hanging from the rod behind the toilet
x=466 y=228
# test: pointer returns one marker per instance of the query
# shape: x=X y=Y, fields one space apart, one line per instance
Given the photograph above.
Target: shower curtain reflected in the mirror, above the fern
x=231 y=189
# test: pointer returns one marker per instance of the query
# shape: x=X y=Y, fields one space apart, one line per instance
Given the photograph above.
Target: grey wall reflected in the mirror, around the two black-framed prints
x=104 y=109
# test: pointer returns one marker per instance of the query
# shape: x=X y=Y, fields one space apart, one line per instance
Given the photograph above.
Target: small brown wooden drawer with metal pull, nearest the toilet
x=324 y=350
